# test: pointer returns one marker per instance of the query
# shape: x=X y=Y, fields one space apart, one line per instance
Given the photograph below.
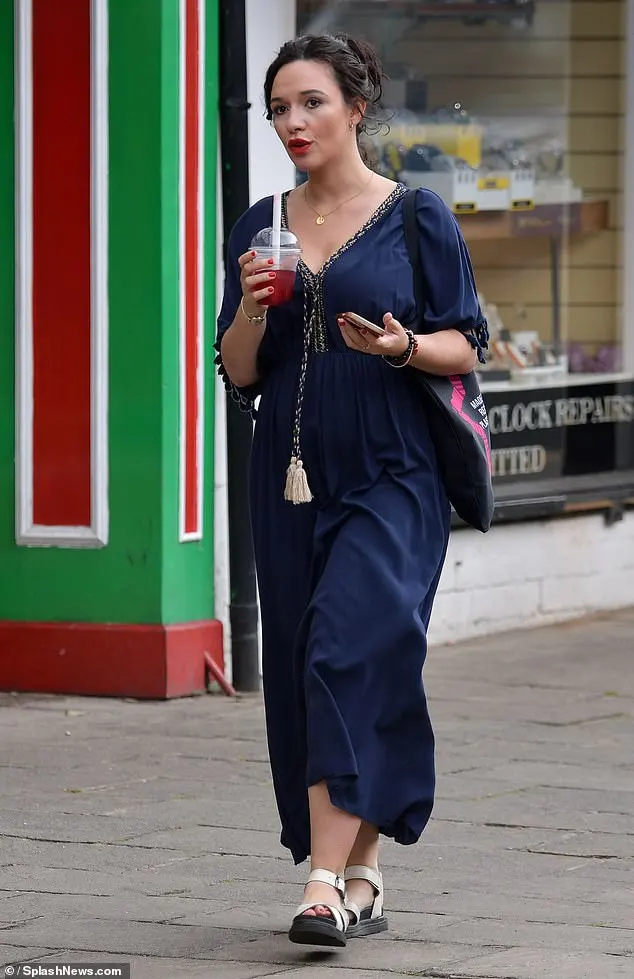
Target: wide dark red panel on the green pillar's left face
x=61 y=263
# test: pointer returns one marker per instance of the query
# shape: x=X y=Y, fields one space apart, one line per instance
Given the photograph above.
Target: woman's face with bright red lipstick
x=310 y=114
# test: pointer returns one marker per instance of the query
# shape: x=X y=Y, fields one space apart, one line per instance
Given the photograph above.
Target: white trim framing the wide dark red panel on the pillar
x=28 y=533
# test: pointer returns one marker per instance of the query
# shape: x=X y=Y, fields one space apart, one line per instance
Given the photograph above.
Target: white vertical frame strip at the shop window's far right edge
x=627 y=323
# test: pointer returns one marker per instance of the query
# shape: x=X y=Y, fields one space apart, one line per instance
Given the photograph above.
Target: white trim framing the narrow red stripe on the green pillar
x=183 y=535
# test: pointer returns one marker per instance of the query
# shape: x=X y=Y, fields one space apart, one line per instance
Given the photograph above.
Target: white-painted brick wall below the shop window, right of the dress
x=530 y=574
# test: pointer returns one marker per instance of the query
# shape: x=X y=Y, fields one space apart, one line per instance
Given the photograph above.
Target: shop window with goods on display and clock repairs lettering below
x=513 y=111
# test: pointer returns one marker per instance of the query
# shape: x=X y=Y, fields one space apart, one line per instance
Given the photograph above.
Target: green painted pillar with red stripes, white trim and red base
x=108 y=121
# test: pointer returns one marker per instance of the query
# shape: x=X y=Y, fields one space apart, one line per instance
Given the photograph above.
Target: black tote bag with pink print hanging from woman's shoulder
x=458 y=420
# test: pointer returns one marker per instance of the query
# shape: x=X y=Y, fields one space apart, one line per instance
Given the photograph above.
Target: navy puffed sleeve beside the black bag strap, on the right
x=451 y=299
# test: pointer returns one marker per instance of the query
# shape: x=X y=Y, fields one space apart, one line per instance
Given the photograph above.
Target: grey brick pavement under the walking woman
x=146 y=832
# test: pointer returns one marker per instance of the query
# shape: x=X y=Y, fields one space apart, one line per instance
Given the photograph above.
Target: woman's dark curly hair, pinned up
x=355 y=64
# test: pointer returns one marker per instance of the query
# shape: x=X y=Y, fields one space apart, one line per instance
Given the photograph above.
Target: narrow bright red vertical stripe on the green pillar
x=192 y=272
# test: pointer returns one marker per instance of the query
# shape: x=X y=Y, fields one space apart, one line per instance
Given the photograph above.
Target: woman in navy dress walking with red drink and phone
x=347 y=579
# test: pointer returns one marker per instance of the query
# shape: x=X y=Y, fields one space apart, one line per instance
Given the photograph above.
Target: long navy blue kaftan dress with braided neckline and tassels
x=347 y=581
